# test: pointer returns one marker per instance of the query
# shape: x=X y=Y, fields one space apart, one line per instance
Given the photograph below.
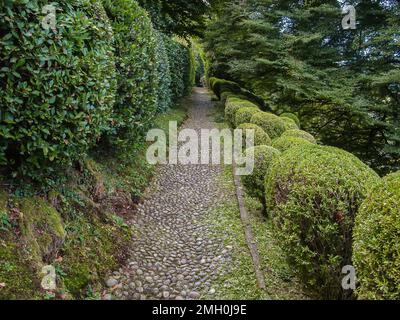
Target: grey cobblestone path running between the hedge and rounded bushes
x=175 y=254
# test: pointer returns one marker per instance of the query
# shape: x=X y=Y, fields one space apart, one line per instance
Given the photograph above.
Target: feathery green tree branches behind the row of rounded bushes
x=344 y=84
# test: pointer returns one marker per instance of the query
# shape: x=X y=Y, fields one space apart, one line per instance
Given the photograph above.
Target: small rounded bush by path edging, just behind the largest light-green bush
x=255 y=182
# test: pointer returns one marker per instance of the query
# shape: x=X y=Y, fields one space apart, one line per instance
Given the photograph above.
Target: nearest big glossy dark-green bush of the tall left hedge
x=57 y=88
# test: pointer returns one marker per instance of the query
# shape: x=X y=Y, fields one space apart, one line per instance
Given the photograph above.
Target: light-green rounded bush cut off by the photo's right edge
x=376 y=248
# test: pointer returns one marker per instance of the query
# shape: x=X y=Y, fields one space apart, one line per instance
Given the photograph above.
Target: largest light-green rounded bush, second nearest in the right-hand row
x=313 y=194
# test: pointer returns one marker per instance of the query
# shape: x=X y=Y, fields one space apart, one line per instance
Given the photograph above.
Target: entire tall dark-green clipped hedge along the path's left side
x=104 y=72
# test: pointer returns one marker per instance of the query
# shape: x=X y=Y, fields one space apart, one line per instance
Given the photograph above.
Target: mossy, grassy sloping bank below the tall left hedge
x=81 y=227
